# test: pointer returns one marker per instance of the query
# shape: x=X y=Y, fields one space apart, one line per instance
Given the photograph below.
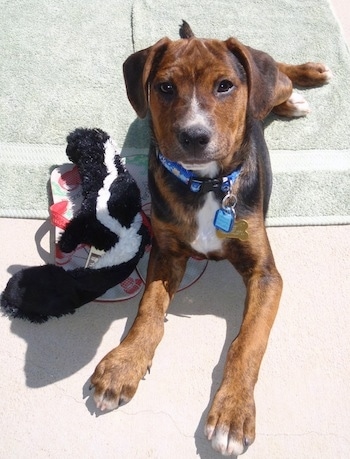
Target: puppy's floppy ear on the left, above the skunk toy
x=137 y=69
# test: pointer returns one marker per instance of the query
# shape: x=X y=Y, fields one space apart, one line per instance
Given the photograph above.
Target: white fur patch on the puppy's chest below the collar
x=206 y=240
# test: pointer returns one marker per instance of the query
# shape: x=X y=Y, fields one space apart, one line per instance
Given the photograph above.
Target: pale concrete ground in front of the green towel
x=302 y=396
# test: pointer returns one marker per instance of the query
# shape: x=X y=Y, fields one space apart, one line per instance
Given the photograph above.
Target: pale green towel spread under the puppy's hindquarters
x=61 y=68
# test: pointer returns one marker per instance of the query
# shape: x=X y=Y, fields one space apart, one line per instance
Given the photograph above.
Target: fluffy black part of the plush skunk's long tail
x=41 y=292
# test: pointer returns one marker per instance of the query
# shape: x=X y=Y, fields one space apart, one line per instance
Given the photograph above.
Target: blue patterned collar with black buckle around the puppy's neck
x=197 y=184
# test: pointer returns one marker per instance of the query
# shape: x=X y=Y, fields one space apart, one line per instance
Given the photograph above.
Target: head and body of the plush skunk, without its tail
x=111 y=196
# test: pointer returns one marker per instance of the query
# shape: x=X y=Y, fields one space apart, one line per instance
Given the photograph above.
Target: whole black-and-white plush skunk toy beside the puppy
x=110 y=219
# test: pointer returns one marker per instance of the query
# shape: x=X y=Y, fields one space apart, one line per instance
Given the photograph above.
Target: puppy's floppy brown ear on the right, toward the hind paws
x=267 y=86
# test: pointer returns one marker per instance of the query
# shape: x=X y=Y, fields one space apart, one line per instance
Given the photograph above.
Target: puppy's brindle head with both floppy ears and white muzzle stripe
x=199 y=93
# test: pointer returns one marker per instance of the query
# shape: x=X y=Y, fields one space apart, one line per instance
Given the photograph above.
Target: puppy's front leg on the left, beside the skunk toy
x=117 y=376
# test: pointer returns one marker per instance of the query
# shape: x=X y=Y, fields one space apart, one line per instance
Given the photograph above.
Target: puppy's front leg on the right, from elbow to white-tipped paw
x=231 y=420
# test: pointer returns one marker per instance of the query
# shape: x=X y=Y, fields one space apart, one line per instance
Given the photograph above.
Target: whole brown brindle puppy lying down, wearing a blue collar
x=210 y=180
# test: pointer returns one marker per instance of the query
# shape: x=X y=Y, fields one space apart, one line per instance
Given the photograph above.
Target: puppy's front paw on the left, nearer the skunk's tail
x=117 y=377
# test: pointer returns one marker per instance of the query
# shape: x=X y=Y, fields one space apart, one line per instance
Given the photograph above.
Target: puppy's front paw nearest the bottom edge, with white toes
x=231 y=422
